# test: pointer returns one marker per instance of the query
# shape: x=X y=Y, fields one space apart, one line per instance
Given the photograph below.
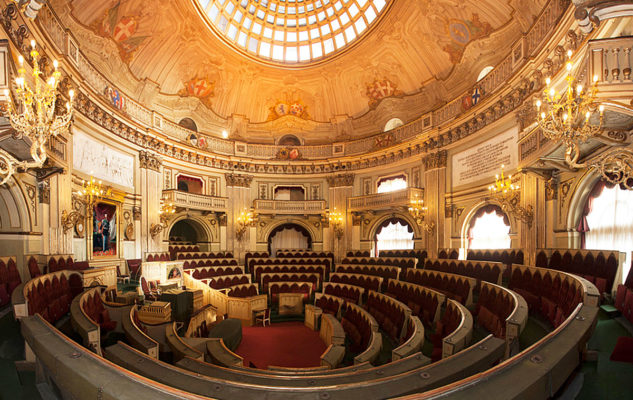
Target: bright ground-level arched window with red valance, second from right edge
x=489 y=229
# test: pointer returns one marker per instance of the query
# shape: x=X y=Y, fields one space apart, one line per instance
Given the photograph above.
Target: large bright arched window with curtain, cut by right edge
x=607 y=222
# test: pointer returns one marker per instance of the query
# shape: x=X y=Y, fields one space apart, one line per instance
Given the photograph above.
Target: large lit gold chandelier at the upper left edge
x=34 y=114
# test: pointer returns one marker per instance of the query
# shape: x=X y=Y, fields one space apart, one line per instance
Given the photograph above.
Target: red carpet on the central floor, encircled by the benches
x=285 y=344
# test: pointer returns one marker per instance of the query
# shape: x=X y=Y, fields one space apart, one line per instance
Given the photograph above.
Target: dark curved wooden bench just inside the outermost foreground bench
x=378 y=385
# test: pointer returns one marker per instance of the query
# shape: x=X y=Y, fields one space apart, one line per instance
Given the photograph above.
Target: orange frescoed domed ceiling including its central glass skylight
x=395 y=58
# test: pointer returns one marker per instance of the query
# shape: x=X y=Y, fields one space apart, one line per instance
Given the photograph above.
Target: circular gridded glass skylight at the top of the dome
x=292 y=31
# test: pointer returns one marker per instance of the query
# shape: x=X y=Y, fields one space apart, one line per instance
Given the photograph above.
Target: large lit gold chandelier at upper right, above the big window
x=565 y=116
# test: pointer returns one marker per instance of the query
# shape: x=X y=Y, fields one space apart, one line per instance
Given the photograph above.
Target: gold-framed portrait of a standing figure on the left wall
x=105 y=223
